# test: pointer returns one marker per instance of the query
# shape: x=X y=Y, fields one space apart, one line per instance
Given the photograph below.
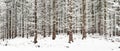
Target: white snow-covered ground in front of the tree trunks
x=91 y=43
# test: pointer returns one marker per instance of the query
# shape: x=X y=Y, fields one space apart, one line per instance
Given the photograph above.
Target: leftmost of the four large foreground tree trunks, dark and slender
x=35 y=14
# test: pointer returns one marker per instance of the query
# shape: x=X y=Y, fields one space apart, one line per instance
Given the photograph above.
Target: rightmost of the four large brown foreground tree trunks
x=84 y=19
